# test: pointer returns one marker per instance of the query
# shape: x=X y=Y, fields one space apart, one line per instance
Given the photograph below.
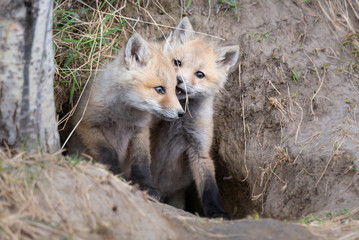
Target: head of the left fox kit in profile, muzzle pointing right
x=151 y=84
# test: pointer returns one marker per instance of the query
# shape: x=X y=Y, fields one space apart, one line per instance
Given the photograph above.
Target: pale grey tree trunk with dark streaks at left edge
x=27 y=110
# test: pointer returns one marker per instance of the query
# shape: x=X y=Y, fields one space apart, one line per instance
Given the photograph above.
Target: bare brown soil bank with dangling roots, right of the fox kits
x=299 y=152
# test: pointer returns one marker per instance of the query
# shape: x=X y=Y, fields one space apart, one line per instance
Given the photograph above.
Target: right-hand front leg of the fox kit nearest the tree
x=139 y=156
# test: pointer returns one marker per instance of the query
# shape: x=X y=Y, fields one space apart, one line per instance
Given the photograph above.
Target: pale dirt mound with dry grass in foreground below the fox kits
x=44 y=196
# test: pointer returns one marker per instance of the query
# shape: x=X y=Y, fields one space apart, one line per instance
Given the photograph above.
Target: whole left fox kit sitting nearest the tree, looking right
x=118 y=106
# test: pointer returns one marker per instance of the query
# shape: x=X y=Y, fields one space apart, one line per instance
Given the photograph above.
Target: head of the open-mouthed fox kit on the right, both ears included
x=200 y=68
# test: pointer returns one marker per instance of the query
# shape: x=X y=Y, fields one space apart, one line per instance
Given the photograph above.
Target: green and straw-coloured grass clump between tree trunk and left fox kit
x=85 y=34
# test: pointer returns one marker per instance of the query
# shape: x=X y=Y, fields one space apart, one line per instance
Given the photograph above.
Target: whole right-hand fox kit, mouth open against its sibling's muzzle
x=180 y=149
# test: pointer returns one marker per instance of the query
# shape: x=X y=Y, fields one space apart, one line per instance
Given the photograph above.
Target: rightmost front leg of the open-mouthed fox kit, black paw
x=202 y=168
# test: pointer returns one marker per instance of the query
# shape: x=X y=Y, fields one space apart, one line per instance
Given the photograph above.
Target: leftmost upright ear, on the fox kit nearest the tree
x=137 y=50
